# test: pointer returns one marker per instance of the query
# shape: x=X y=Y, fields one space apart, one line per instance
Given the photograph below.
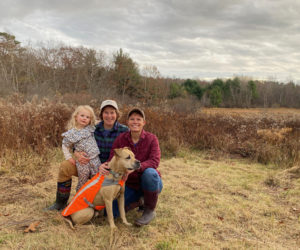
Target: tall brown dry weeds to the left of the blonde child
x=35 y=125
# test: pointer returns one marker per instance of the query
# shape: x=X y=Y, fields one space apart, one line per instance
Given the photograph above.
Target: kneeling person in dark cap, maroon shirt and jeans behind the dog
x=146 y=181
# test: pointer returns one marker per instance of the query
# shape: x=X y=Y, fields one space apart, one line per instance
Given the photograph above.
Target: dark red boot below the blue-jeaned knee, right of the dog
x=150 y=201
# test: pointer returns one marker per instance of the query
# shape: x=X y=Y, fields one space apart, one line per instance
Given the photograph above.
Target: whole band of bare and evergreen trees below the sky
x=66 y=71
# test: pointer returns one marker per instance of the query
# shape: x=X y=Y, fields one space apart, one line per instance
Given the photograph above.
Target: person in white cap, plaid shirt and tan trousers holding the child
x=105 y=134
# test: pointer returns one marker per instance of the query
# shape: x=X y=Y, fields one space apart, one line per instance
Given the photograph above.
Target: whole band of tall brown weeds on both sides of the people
x=265 y=136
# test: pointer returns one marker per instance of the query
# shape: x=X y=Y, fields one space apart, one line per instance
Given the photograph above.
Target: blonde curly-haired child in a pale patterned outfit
x=80 y=137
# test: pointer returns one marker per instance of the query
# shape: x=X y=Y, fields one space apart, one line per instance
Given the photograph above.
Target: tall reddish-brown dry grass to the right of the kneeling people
x=268 y=136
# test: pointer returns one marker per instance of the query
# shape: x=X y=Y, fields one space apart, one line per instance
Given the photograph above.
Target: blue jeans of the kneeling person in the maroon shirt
x=150 y=181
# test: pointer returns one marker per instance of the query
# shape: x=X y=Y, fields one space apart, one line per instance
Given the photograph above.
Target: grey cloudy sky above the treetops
x=201 y=39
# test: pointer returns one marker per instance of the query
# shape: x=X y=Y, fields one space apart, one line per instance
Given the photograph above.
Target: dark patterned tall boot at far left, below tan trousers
x=62 y=195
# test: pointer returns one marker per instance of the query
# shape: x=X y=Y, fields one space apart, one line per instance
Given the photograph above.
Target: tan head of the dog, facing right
x=125 y=158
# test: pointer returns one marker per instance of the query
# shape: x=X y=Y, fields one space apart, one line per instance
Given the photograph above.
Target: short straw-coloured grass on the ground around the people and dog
x=208 y=202
